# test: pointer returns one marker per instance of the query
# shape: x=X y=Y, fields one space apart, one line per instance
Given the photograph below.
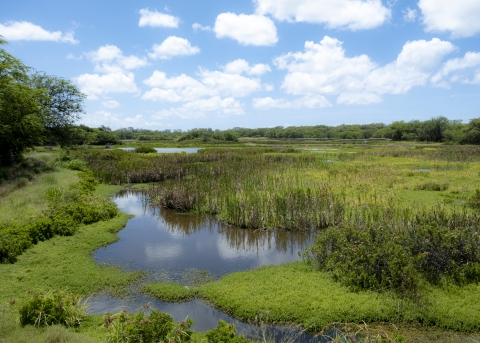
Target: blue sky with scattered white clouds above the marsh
x=221 y=64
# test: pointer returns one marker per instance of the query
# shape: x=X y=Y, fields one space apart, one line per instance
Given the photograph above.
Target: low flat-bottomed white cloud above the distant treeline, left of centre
x=199 y=108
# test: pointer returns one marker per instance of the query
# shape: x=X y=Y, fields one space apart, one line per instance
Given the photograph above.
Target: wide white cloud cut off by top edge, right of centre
x=349 y=14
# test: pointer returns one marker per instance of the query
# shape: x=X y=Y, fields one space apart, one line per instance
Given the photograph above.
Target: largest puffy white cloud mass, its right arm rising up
x=324 y=69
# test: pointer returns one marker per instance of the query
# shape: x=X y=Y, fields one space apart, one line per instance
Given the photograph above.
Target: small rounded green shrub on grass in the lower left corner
x=45 y=308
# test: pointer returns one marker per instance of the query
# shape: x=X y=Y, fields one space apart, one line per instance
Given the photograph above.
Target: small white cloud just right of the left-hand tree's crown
x=118 y=82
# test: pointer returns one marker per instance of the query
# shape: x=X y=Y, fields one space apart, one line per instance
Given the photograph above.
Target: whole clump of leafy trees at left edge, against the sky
x=34 y=106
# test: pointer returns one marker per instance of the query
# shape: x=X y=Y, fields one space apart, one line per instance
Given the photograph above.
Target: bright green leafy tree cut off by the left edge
x=21 y=115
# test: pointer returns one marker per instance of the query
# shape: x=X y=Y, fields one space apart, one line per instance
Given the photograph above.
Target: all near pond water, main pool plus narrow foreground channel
x=173 y=246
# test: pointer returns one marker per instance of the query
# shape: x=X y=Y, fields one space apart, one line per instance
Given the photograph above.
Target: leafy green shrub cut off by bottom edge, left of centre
x=153 y=328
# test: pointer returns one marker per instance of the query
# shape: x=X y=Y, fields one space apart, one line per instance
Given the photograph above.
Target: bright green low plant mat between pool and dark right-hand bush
x=295 y=293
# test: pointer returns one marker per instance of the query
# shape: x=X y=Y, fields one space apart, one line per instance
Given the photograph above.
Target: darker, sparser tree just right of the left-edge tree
x=62 y=107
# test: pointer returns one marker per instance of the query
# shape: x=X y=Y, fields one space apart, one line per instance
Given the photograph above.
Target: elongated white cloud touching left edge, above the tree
x=24 y=30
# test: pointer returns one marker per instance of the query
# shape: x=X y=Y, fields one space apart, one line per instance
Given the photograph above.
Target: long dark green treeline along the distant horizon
x=439 y=129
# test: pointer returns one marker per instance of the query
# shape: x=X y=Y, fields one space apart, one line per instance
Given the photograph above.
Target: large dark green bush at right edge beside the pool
x=398 y=258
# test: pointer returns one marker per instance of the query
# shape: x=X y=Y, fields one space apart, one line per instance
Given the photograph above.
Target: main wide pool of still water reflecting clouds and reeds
x=163 y=240
